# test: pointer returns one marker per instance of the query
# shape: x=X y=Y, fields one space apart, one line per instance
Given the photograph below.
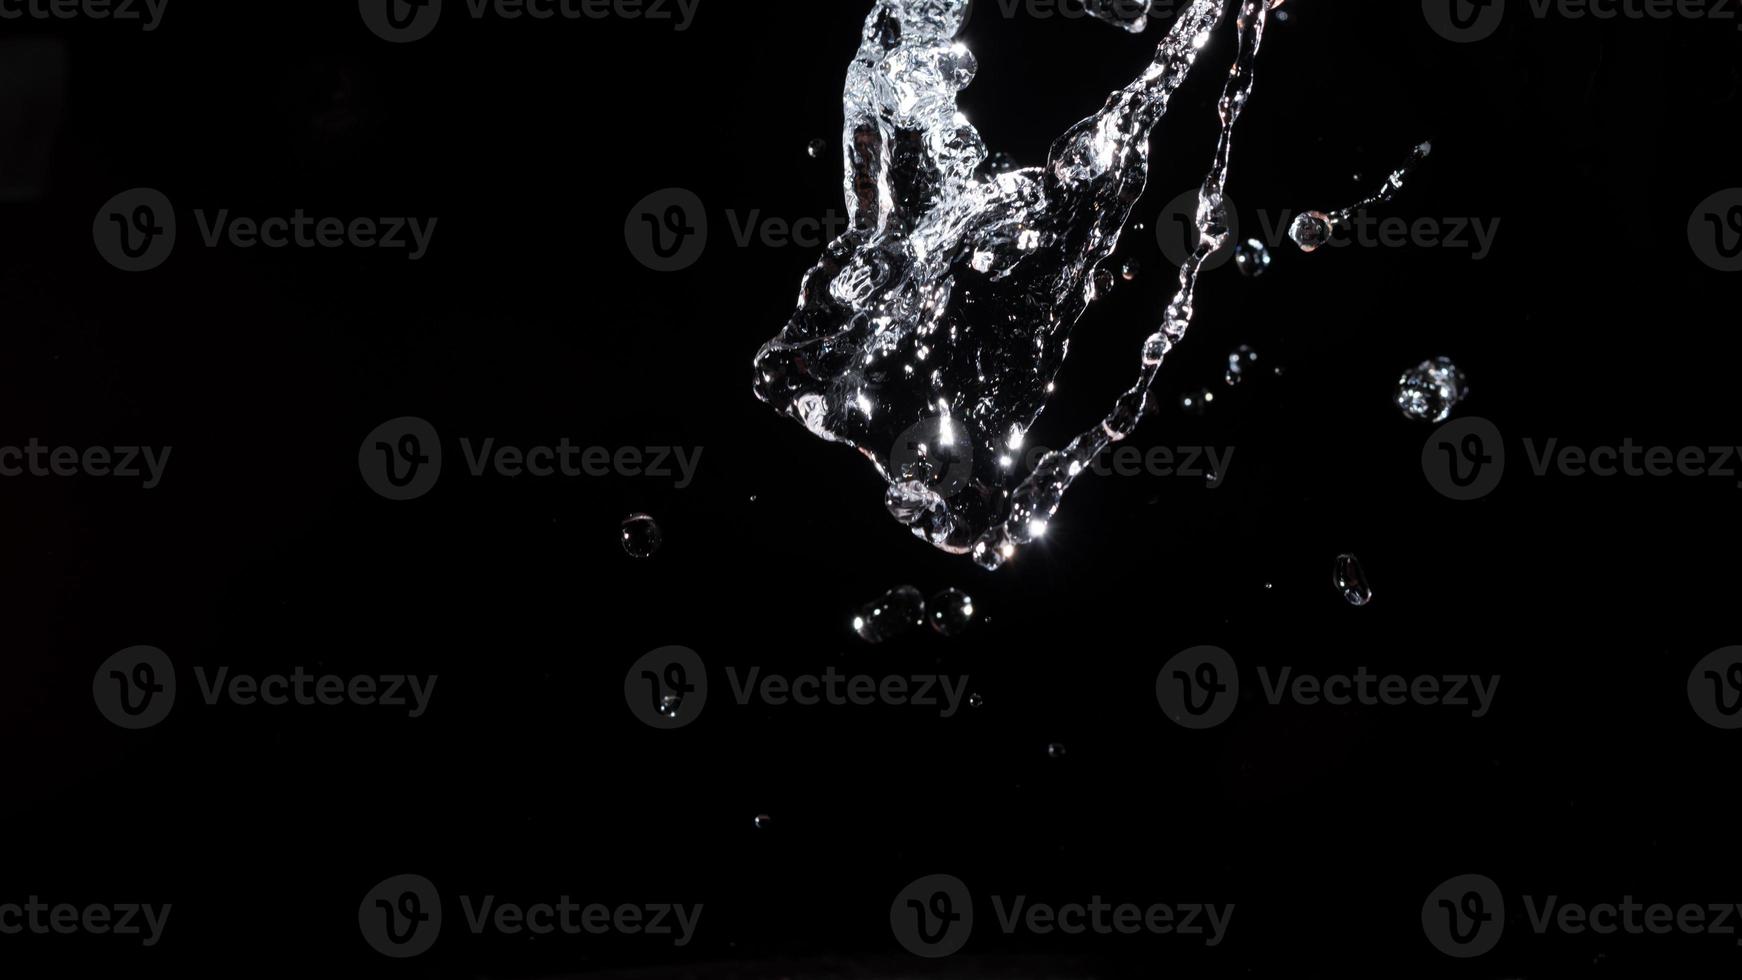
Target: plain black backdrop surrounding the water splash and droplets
x=530 y=323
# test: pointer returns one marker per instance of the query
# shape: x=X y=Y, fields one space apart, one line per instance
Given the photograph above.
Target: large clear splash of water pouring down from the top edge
x=931 y=333
